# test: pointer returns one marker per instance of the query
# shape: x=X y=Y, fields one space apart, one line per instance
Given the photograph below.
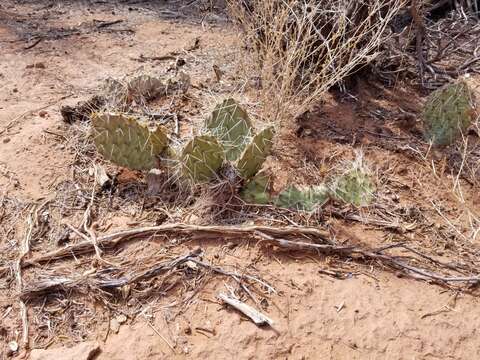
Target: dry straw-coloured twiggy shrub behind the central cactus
x=304 y=47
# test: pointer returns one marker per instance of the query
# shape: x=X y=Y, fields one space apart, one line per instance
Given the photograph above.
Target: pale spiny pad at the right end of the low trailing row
x=354 y=187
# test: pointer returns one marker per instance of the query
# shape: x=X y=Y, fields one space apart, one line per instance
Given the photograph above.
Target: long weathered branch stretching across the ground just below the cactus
x=268 y=235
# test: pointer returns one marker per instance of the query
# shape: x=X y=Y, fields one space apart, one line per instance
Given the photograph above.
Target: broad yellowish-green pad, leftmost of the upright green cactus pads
x=127 y=141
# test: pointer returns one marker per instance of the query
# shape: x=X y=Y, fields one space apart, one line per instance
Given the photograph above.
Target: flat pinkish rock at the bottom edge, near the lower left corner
x=82 y=351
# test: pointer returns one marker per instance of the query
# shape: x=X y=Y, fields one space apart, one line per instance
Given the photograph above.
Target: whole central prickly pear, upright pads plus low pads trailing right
x=228 y=138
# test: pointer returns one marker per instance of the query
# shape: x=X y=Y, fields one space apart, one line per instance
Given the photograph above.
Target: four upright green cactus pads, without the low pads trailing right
x=228 y=135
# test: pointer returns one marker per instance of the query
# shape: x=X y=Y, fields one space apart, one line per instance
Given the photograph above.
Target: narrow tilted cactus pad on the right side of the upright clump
x=255 y=153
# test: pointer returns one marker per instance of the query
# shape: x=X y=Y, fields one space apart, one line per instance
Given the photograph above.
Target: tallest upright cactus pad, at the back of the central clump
x=232 y=126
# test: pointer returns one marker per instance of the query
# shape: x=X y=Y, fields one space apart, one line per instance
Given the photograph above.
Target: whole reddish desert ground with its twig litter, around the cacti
x=55 y=54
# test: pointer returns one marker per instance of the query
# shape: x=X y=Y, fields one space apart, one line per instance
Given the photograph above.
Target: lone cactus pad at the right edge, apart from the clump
x=448 y=113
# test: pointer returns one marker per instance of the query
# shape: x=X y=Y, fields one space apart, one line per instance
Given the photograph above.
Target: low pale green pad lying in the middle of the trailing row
x=303 y=199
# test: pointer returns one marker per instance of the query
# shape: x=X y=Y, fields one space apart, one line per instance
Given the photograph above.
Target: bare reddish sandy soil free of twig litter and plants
x=370 y=314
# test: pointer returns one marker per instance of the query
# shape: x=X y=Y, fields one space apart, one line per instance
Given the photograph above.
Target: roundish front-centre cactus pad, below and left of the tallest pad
x=201 y=158
